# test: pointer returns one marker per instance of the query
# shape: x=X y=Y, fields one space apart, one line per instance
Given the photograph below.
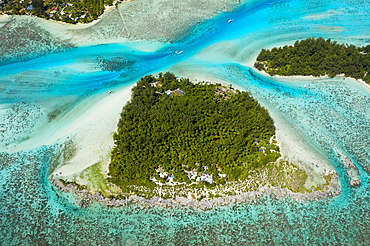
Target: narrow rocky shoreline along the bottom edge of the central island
x=331 y=190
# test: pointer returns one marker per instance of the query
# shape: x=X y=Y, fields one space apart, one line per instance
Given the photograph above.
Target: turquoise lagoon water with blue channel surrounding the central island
x=334 y=121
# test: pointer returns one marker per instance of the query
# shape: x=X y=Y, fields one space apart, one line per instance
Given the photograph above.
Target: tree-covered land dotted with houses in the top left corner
x=70 y=11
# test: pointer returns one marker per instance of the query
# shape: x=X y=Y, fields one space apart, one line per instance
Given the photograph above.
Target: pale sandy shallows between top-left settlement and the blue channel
x=115 y=25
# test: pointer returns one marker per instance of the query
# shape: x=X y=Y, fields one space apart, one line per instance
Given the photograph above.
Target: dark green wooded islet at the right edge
x=316 y=57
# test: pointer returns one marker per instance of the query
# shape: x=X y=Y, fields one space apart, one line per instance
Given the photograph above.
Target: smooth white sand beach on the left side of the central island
x=92 y=131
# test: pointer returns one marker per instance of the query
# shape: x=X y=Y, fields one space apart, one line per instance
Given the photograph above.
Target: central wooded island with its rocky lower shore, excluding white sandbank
x=196 y=144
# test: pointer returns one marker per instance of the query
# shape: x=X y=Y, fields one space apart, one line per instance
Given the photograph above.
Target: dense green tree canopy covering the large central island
x=196 y=125
